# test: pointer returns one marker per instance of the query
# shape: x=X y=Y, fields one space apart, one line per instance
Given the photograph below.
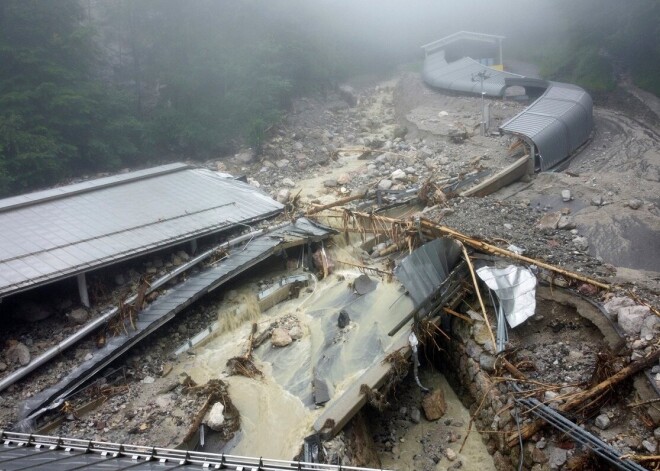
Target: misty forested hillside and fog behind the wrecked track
x=97 y=85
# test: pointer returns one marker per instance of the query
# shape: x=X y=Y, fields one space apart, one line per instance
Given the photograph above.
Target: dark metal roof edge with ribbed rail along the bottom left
x=125 y=456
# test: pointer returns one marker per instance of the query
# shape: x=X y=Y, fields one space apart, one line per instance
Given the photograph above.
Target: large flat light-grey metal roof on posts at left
x=49 y=235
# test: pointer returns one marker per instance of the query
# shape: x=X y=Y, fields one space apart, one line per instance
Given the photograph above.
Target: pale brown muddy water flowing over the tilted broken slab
x=278 y=409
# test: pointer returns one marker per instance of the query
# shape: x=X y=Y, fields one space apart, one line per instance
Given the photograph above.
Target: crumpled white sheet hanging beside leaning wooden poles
x=515 y=288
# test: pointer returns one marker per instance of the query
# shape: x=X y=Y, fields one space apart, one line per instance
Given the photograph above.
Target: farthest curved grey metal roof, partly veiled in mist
x=461 y=75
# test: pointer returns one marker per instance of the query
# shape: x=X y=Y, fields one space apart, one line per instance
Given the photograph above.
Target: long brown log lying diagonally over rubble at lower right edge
x=579 y=399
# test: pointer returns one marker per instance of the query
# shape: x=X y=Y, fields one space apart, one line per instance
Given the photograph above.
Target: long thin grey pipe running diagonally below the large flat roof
x=96 y=323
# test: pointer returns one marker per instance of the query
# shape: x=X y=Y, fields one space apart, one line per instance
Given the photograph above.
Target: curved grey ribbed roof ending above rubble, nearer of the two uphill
x=557 y=123
